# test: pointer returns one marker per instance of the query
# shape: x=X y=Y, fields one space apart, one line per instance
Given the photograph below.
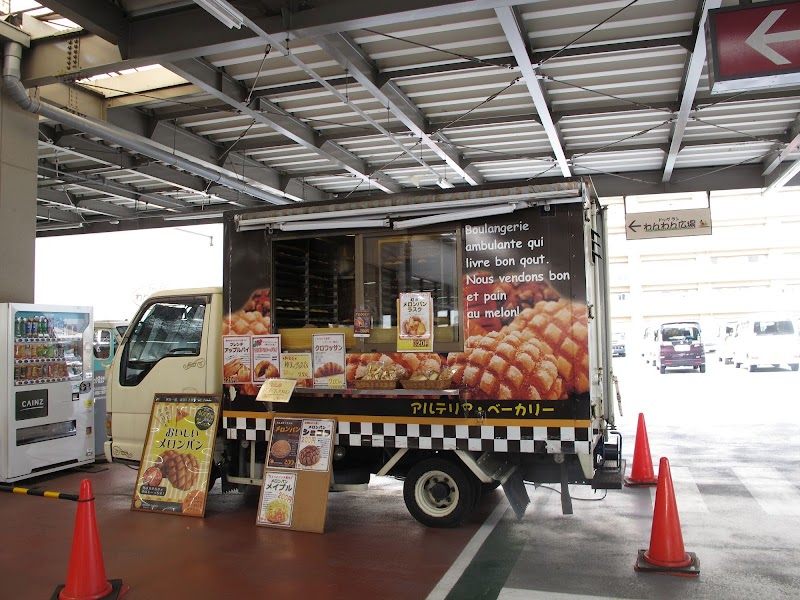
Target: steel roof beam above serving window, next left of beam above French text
x=346 y=52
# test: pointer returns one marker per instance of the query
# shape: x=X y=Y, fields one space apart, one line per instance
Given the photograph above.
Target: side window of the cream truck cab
x=164 y=329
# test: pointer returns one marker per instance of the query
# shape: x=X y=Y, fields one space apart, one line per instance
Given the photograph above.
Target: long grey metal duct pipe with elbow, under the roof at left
x=12 y=61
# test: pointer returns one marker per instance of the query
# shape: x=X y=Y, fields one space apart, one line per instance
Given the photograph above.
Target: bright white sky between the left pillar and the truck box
x=114 y=272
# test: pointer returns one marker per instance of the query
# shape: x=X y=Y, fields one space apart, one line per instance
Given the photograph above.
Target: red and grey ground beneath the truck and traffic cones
x=737 y=489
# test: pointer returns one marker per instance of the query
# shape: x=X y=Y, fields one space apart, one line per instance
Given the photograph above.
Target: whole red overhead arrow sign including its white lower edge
x=755 y=46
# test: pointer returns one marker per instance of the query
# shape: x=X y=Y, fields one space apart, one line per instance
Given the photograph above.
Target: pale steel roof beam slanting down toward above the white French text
x=513 y=28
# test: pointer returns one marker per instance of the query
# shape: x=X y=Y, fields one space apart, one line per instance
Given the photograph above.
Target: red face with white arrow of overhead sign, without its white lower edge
x=758 y=40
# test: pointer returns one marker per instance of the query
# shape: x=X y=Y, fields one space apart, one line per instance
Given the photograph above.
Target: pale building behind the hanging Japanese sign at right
x=750 y=263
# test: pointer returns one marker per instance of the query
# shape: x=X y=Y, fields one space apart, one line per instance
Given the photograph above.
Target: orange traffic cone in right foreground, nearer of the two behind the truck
x=666 y=554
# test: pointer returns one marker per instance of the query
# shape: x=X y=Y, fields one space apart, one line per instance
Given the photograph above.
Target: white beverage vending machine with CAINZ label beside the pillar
x=46 y=401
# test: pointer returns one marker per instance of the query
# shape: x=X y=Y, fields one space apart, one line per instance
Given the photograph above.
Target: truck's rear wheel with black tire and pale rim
x=440 y=492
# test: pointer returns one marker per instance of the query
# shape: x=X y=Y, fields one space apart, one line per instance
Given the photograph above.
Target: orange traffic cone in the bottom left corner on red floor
x=86 y=575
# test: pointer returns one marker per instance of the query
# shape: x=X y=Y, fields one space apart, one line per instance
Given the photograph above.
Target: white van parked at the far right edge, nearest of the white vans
x=766 y=341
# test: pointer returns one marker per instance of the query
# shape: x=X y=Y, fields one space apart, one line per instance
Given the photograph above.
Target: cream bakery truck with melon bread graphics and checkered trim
x=512 y=353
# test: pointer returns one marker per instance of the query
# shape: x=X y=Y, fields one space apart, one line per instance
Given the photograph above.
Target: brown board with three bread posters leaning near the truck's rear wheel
x=294 y=492
